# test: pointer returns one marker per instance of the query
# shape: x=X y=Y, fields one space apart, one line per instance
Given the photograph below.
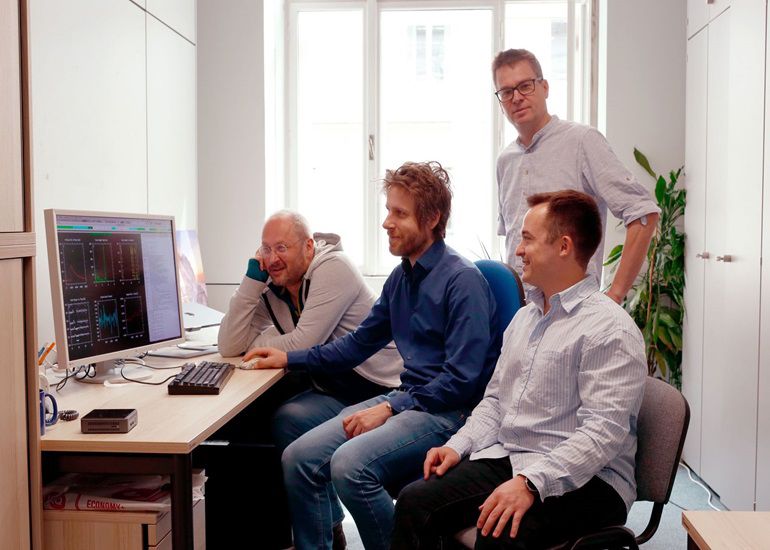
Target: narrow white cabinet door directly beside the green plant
x=695 y=229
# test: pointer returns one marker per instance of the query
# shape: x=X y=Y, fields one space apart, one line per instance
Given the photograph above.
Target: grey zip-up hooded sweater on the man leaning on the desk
x=336 y=302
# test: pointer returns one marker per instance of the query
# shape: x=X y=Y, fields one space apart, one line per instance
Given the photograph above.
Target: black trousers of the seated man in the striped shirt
x=427 y=511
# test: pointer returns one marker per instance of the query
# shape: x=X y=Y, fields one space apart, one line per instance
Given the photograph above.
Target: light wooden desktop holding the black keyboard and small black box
x=172 y=424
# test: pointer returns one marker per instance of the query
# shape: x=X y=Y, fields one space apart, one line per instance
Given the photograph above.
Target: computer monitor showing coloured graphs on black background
x=114 y=287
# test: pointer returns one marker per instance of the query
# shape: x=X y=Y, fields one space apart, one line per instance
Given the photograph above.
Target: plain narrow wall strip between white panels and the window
x=231 y=140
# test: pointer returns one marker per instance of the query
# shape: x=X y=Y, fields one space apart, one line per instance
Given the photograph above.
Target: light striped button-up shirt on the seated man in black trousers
x=565 y=395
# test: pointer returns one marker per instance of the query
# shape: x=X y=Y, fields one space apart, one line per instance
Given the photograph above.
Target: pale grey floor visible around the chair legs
x=670 y=535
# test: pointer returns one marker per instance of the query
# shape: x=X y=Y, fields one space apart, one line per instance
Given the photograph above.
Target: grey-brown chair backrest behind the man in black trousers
x=661 y=429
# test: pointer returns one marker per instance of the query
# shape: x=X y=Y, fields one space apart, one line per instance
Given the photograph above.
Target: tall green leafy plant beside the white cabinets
x=656 y=301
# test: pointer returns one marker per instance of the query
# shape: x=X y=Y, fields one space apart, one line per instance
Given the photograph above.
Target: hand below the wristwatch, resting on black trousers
x=510 y=500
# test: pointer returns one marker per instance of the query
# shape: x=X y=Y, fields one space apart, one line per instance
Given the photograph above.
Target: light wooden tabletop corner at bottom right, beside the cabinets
x=728 y=530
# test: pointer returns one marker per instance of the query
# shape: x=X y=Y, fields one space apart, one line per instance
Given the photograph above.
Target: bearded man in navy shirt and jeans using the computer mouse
x=438 y=309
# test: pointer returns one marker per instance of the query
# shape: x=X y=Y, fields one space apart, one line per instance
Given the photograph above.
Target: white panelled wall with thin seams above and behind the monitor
x=113 y=115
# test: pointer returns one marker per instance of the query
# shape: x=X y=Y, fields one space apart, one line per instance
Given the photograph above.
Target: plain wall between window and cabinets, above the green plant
x=642 y=84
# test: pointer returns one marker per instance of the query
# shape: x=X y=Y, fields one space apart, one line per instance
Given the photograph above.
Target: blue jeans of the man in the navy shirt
x=362 y=470
